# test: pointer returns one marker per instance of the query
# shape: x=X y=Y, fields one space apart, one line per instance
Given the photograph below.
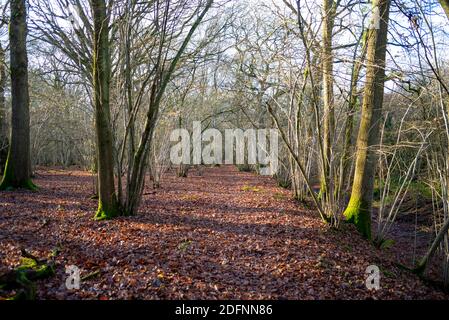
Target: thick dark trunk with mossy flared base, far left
x=17 y=171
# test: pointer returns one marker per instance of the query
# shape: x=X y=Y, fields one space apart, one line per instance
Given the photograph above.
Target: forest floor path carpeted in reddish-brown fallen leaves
x=222 y=235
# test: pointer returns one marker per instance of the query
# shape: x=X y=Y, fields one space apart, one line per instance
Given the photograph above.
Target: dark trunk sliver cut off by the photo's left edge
x=3 y=123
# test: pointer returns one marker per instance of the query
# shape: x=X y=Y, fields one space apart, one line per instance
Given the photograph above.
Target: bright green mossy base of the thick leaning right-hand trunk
x=359 y=214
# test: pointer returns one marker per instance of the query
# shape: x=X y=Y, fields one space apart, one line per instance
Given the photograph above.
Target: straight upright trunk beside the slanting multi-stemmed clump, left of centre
x=108 y=206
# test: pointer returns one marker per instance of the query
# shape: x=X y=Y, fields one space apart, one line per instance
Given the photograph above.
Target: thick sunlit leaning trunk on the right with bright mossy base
x=360 y=204
